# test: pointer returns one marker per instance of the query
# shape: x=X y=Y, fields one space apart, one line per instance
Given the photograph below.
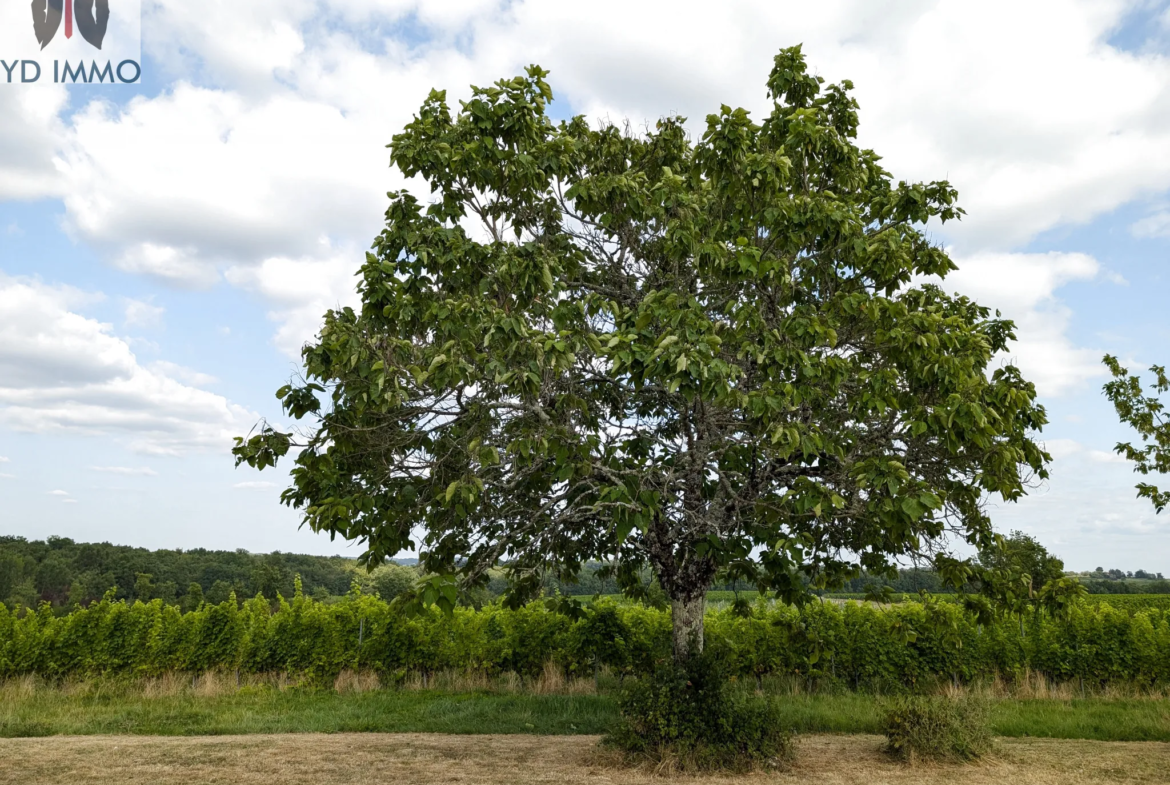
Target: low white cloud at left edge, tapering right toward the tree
x=61 y=373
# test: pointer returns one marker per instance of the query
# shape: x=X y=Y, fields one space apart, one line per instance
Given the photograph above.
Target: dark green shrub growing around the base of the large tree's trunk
x=687 y=718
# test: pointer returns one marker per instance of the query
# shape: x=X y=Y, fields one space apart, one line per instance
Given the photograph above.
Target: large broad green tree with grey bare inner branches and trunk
x=712 y=357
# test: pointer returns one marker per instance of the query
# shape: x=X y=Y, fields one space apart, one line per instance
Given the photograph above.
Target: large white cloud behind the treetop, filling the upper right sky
x=947 y=89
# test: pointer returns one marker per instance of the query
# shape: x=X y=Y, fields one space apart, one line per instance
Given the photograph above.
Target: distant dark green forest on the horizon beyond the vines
x=71 y=575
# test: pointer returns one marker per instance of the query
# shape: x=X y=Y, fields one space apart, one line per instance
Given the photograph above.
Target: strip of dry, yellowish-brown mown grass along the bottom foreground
x=430 y=759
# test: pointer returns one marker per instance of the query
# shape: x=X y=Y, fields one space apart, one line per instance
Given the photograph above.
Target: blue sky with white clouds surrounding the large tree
x=168 y=246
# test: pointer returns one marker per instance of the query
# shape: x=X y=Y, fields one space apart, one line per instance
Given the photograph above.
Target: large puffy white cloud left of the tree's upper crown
x=272 y=177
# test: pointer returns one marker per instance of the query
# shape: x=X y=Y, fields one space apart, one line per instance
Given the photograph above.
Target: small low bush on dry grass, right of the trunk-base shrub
x=938 y=728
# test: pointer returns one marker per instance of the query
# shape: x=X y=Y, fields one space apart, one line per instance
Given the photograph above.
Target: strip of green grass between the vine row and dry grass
x=285 y=712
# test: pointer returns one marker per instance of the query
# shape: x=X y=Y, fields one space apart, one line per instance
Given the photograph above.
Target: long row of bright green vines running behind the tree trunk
x=857 y=646
